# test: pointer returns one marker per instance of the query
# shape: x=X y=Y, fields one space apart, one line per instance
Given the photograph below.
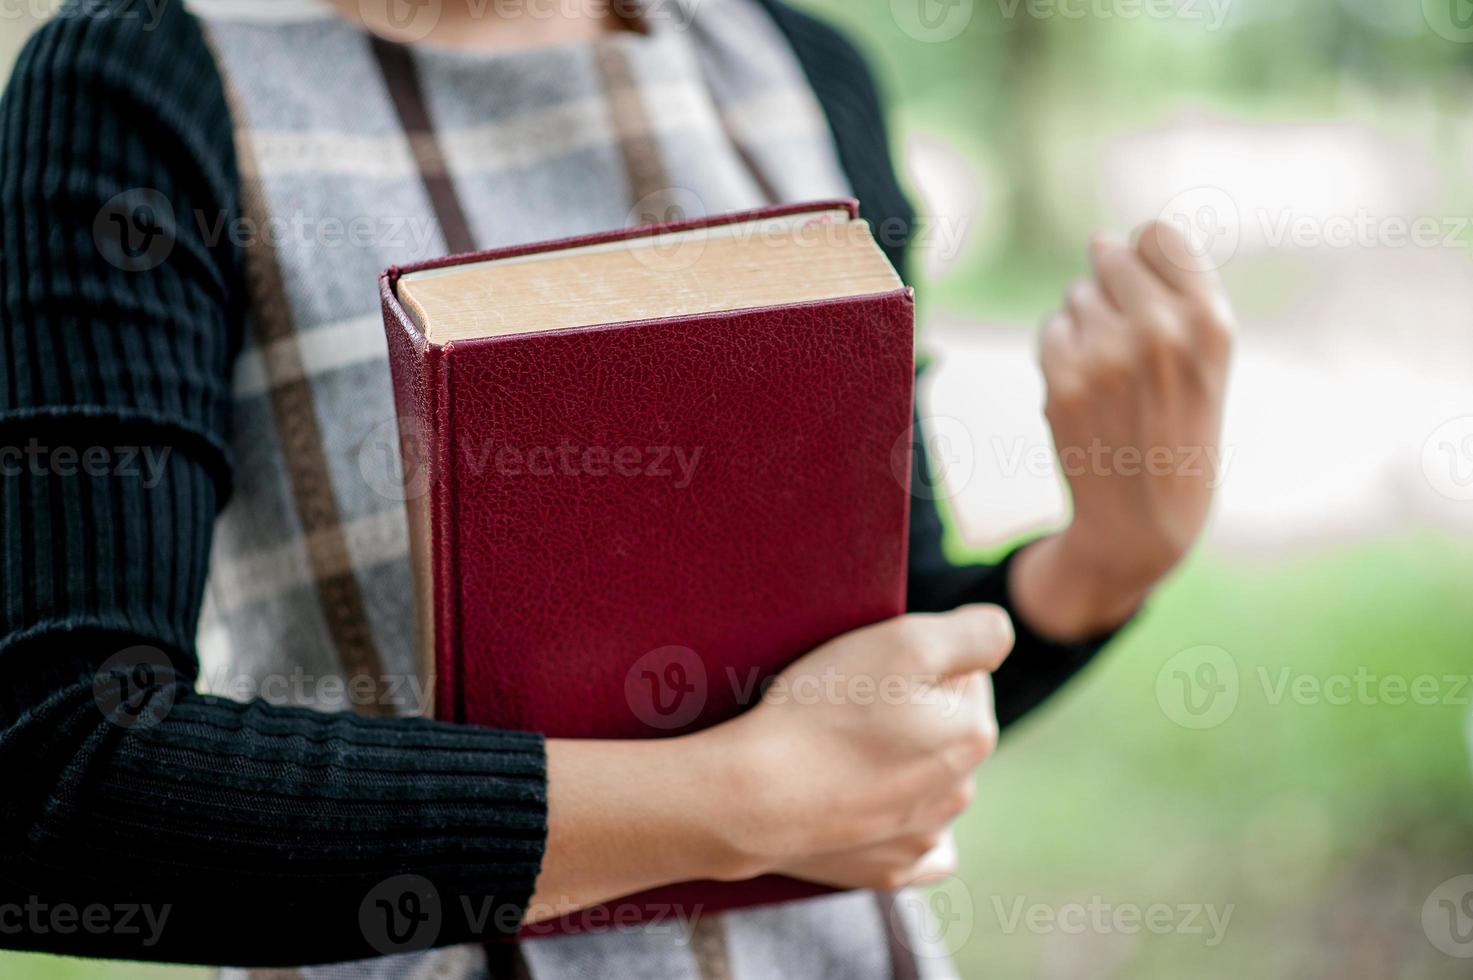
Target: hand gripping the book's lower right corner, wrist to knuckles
x=885 y=763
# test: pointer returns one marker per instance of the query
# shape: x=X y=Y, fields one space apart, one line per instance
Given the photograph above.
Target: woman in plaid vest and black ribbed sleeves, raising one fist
x=197 y=204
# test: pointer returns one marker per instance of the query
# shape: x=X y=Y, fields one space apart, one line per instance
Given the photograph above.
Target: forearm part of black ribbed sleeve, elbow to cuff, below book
x=248 y=833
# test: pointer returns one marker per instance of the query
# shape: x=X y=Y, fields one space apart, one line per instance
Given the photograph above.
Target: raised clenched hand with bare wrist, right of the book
x=1136 y=371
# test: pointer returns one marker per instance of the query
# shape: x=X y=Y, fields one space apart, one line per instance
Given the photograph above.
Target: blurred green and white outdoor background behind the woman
x=1282 y=738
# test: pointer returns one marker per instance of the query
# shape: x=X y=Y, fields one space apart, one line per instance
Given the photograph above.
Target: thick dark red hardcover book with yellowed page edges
x=647 y=471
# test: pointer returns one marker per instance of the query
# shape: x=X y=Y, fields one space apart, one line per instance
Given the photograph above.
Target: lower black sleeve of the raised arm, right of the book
x=1038 y=665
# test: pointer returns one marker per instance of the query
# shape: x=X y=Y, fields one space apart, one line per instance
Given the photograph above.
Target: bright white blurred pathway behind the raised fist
x=1351 y=409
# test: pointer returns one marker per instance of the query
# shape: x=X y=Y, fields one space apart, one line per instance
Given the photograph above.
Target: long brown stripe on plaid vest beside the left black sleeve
x=295 y=415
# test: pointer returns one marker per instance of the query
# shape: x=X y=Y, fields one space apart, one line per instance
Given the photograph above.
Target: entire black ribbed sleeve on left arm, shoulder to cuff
x=247 y=833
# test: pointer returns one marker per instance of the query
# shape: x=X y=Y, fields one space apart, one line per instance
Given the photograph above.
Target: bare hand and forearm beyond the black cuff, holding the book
x=848 y=773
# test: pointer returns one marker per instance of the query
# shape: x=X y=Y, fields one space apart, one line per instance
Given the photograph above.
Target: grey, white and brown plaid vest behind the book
x=357 y=155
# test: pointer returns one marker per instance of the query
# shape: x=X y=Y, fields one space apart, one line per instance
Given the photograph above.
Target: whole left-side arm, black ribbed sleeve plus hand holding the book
x=245 y=833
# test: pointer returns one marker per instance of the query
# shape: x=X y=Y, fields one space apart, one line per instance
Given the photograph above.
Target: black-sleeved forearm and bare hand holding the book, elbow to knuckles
x=260 y=836
